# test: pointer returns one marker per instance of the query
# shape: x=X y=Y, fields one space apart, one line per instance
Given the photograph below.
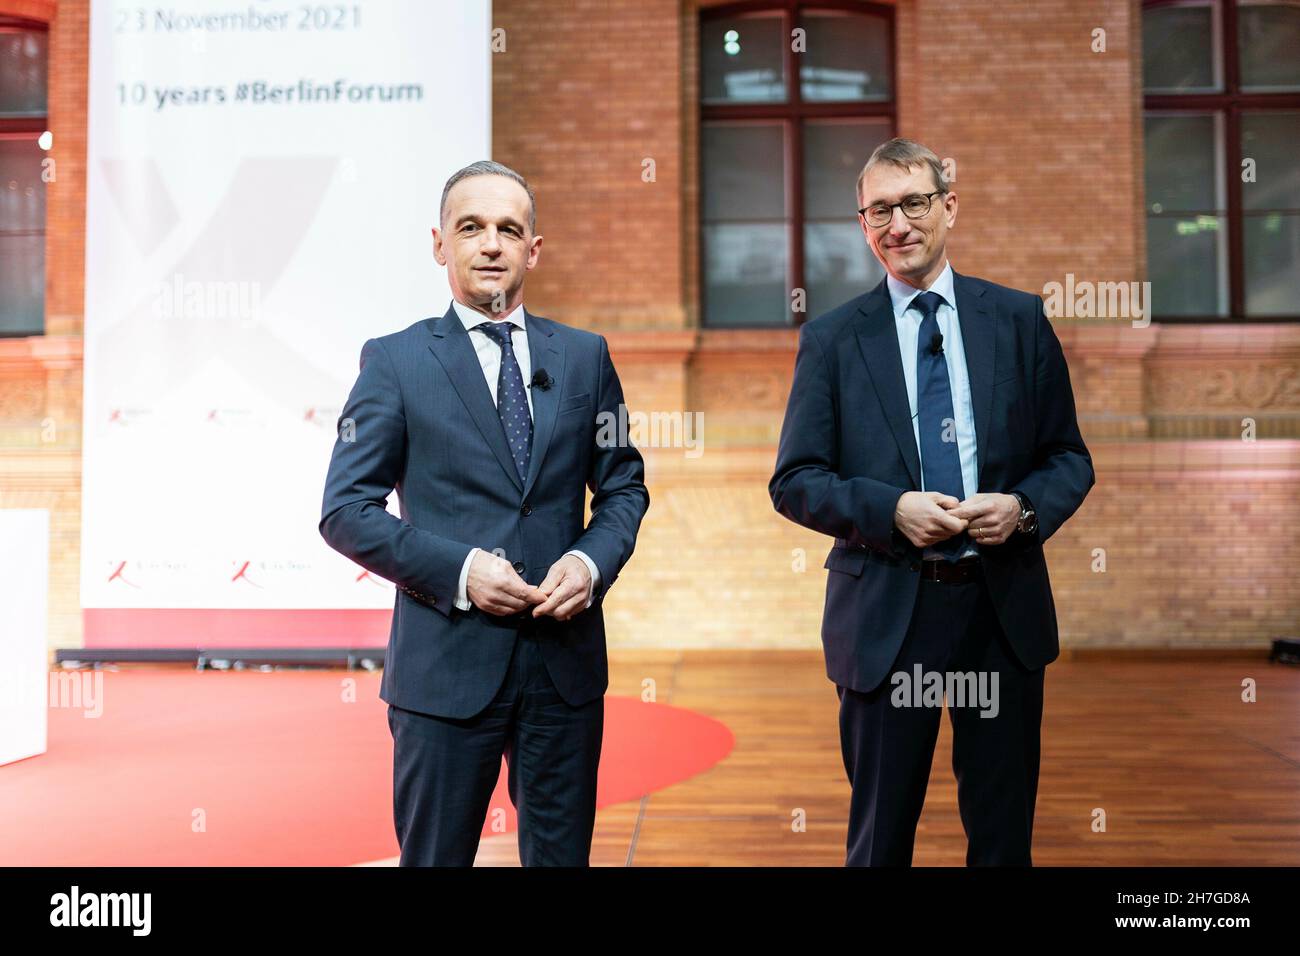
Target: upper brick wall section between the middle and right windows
x=1046 y=133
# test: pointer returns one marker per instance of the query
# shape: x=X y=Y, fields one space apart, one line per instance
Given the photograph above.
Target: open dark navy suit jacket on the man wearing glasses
x=848 y=452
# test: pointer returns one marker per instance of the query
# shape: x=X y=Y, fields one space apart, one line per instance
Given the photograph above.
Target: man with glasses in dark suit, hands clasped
x=931 y=431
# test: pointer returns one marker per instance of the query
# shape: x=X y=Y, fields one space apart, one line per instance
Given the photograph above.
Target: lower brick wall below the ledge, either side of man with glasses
x=1180 y=546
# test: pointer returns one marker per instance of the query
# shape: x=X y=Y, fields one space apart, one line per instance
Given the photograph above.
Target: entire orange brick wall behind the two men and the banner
x=1195 y=525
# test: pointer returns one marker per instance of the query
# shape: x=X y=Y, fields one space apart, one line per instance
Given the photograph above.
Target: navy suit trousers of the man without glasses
x=445 y=771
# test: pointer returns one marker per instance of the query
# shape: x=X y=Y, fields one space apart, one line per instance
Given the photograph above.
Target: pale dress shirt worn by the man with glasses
x=908 y=326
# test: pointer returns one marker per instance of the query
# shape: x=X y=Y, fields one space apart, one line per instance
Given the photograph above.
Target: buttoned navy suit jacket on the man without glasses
x=427 y=426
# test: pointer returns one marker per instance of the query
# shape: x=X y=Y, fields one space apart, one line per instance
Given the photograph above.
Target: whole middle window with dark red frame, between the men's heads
x=794 y=98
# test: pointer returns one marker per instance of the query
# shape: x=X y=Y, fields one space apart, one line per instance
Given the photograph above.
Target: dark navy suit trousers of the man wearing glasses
x=889 y=747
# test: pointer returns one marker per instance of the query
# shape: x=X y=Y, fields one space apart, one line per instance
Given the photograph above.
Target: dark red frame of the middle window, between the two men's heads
x=791 y=115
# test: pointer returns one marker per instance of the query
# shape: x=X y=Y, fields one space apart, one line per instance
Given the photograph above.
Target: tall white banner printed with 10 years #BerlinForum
x=262 y=180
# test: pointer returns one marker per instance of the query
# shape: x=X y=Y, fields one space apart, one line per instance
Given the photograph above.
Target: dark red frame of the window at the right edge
x=1230 y=103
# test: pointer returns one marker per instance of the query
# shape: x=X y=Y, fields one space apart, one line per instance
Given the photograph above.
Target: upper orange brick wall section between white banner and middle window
x=586 y=94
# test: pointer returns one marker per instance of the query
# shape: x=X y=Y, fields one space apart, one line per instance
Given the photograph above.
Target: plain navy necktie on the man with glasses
x=941 y=461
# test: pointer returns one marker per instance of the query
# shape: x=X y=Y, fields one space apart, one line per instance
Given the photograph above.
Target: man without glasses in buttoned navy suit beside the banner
x=486 y=422
